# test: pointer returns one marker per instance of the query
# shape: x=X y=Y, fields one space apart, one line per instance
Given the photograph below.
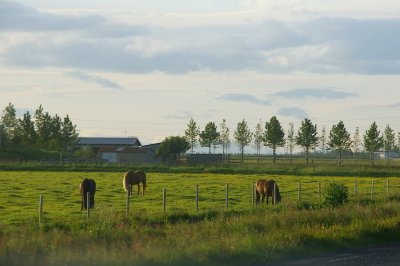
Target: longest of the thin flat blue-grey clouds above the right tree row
x=315 y=93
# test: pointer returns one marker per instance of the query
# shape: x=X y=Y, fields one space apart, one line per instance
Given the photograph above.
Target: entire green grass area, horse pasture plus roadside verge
x=241 y=235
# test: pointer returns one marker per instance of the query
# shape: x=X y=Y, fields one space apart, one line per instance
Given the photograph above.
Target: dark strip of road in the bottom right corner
x=379 y=255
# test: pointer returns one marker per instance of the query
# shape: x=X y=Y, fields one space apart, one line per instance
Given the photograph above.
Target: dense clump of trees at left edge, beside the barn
x=41 y=131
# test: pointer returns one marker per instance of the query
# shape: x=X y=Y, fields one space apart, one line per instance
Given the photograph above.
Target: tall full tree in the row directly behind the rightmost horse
x=274 y=136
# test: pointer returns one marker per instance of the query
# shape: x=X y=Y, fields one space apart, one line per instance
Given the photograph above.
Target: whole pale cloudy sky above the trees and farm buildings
x=144 y=68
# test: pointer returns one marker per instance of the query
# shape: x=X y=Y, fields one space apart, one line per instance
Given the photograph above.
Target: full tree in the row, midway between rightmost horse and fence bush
x=307 y=136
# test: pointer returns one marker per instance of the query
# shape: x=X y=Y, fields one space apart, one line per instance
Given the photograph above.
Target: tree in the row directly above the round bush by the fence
x=339 y=139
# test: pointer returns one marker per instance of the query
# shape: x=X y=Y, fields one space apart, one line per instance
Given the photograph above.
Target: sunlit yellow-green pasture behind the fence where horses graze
x=20 y=191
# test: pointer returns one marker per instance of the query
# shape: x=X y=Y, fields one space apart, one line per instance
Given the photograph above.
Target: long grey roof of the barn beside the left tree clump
x=98 y=143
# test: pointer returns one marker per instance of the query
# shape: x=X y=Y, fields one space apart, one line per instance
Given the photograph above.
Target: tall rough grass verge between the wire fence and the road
x=253 y=236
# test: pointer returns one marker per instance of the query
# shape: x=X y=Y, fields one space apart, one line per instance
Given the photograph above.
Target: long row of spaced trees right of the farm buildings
x=273 y=136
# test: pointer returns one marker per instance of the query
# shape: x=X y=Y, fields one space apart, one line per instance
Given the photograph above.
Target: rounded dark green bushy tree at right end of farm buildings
x=171 y=147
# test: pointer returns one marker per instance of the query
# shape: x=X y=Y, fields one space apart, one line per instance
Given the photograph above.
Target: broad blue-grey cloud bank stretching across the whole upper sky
x=94 y=42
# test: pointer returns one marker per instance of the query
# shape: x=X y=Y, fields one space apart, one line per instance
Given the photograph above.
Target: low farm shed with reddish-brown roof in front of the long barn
x=127 y=155
